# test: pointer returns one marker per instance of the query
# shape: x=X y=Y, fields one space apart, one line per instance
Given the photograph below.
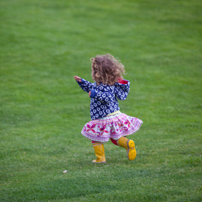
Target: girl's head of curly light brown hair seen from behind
x=106 y=69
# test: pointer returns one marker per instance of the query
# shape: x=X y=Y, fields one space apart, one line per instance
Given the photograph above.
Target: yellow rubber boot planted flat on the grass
x=99 y=152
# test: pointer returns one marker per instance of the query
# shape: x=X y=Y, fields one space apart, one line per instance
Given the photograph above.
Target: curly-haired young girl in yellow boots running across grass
x=107 y=121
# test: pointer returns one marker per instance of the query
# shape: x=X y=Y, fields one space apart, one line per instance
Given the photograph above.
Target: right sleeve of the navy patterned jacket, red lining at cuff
x=122 y=89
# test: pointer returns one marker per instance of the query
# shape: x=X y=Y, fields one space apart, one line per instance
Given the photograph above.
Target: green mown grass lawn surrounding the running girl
x=43 y=44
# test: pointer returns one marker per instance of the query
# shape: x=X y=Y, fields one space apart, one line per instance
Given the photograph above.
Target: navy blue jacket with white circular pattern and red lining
x=104 y=98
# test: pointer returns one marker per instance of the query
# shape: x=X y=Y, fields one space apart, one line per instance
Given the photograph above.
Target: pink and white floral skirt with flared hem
x=114 y=127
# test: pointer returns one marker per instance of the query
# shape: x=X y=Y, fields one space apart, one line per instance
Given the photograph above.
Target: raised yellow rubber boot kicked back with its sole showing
x=129 y=145
